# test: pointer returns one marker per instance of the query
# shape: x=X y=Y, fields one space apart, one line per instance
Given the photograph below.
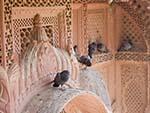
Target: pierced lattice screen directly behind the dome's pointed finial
x=22 y=31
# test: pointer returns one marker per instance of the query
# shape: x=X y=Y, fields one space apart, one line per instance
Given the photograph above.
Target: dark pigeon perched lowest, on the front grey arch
x=61 y=78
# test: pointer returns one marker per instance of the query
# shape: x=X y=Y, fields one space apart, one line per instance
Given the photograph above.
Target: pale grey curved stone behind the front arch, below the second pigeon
x=92 y=80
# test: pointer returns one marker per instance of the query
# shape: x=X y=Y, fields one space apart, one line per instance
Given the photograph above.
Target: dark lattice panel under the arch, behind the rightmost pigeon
x=134 y=33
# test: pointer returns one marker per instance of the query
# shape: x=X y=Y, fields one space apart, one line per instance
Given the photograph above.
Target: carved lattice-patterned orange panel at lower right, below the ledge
x=134 y=83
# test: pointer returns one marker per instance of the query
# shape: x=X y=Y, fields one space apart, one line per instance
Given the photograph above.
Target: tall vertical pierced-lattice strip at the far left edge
x=8 y=39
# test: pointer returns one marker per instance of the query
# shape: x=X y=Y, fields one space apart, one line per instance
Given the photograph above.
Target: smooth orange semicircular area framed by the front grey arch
x=85 y=103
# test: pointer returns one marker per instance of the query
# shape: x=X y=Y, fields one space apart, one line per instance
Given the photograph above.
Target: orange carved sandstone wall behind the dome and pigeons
x=119 y=69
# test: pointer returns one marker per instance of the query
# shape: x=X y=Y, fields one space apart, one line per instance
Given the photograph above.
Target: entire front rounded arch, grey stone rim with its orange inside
x=57 y=101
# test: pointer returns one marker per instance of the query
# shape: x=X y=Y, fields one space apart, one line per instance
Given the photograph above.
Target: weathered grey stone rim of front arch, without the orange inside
x=54 y=100
